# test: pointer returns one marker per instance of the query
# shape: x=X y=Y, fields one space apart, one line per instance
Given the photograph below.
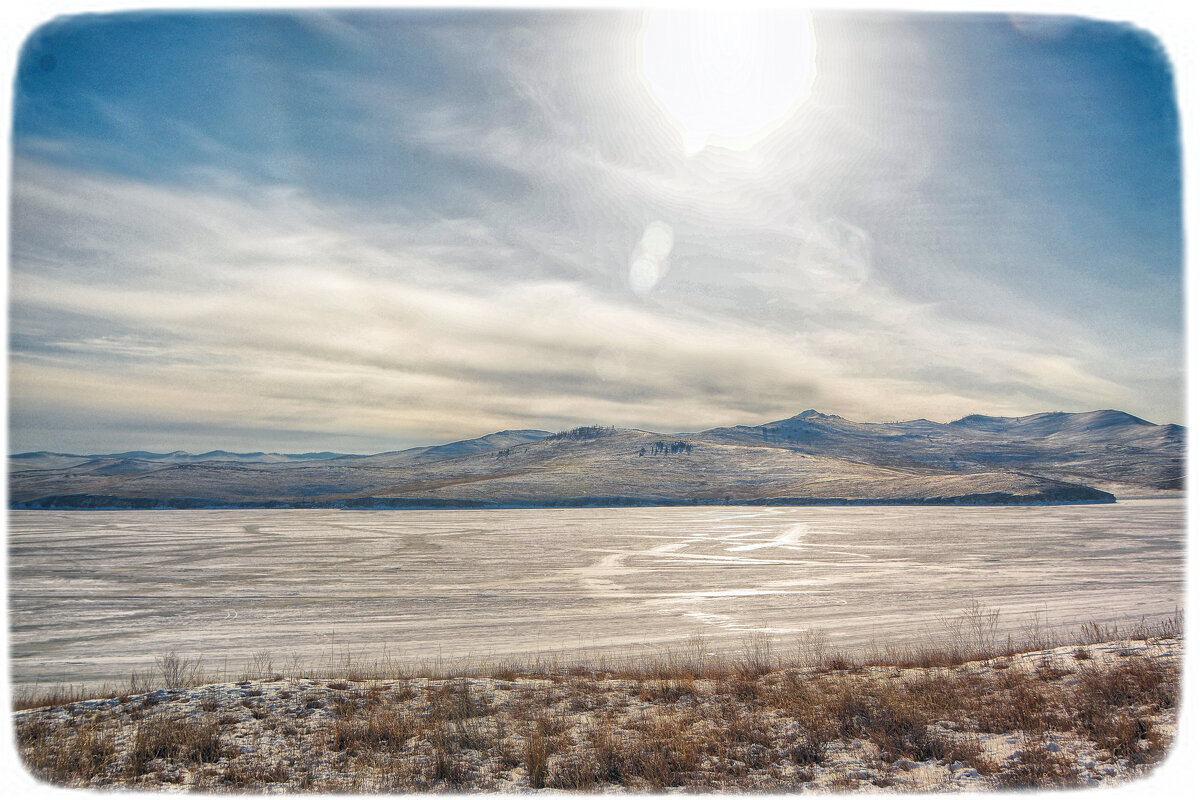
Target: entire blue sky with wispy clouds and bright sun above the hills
x=364 y=231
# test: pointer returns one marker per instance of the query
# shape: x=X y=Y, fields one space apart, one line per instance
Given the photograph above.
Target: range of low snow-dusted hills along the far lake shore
x=809 y=459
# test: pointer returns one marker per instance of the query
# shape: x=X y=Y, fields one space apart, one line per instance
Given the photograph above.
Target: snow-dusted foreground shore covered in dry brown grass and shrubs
x=1078 y=715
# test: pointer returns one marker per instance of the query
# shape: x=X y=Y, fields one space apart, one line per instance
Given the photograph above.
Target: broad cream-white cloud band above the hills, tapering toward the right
x=229 y=311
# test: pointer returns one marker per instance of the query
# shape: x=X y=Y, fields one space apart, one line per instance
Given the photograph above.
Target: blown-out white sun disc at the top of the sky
x=727 y=79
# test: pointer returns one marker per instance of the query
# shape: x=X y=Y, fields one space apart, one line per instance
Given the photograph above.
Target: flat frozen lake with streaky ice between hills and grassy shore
x=94 y=596
